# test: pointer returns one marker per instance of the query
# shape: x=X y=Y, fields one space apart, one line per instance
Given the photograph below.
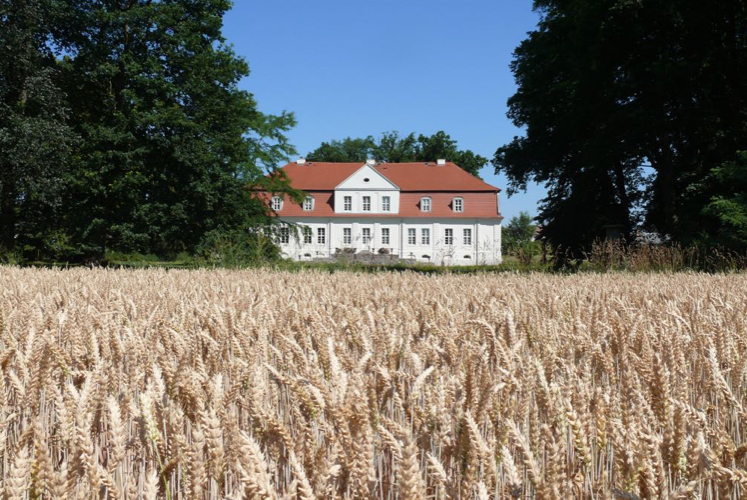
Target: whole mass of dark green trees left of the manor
x=122 y=128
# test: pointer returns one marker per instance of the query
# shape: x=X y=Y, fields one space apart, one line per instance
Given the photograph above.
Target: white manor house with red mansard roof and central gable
x=427 y=211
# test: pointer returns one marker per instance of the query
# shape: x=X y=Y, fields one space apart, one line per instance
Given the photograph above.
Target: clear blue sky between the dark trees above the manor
x=357 y=68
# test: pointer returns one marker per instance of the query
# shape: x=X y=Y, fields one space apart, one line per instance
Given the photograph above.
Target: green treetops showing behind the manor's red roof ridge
x=393 y=148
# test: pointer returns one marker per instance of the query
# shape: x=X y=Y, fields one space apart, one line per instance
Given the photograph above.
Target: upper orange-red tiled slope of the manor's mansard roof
x=421 y=176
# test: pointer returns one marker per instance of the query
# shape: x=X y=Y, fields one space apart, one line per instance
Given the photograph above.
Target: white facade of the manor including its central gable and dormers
x=365 y=217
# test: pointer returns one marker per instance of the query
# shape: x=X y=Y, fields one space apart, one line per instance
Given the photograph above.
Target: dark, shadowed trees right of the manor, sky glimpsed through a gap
x=635 y=115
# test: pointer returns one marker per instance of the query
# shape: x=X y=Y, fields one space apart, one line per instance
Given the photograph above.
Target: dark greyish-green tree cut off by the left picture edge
x=34 y=137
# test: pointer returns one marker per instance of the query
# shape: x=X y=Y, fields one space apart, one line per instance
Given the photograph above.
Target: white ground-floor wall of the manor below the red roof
x=473 y=241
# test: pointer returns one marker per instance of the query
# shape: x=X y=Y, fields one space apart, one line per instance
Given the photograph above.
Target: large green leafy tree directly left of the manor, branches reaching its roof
x=169 y=141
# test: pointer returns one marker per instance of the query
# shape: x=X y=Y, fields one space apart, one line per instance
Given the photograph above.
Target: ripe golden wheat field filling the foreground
x=268 y=384
